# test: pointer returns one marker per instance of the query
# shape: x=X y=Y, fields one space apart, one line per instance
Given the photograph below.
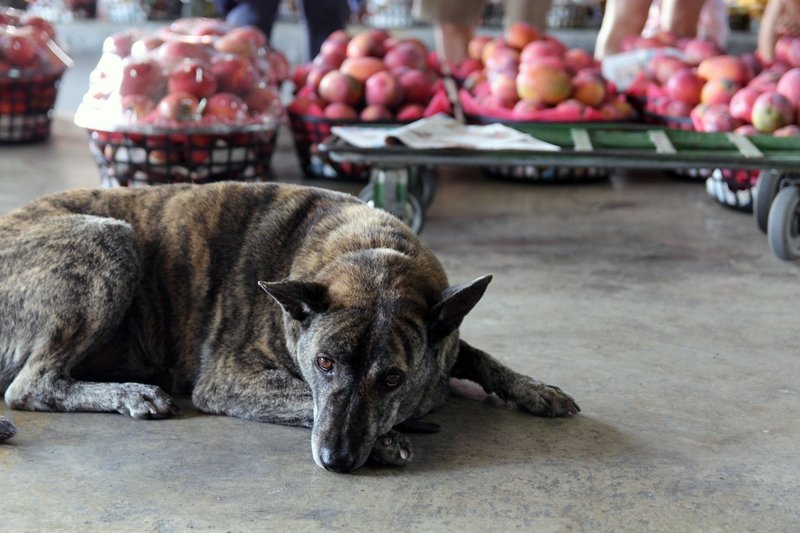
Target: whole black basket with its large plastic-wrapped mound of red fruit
x=196 y=102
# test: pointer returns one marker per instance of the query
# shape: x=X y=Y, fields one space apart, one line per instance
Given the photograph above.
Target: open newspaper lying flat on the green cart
x=442 y=131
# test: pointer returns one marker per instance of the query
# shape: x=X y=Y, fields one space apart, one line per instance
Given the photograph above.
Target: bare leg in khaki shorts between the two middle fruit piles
x=453 y=25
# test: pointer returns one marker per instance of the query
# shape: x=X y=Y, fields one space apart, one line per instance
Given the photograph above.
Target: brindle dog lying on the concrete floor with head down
x=109 y=298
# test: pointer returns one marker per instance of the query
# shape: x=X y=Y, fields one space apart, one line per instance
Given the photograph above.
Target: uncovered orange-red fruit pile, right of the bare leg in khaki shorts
x=525 y=75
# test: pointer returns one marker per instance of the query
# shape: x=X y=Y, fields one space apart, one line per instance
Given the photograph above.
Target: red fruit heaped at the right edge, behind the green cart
x=712 y=92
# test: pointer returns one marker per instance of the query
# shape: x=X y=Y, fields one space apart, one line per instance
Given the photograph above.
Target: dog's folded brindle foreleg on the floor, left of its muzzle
x=234 y=387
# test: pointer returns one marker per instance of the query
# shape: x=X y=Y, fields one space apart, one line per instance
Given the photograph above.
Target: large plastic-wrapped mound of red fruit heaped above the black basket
x=196 y=73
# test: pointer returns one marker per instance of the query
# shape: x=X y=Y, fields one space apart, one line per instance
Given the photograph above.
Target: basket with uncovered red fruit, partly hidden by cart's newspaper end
x=368 y=78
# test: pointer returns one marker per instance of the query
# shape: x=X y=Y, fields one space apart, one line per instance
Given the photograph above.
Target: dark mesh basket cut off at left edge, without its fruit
x=26 y=107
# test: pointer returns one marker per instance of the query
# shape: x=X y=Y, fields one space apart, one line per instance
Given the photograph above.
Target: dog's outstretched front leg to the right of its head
x=529 y=395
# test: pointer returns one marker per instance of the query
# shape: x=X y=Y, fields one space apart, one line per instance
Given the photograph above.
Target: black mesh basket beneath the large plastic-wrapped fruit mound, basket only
x=132 y=159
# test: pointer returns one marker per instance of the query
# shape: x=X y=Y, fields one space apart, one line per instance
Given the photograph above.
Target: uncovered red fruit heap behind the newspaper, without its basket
x=370 y=76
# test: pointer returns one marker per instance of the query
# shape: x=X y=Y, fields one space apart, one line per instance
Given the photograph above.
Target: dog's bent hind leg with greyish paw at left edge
x=65 y=284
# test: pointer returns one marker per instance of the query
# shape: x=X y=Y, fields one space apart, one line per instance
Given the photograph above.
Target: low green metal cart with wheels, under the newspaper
x=403 y=181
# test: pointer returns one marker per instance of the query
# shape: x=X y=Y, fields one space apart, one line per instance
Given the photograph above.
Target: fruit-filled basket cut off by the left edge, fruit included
x=31 y=66
